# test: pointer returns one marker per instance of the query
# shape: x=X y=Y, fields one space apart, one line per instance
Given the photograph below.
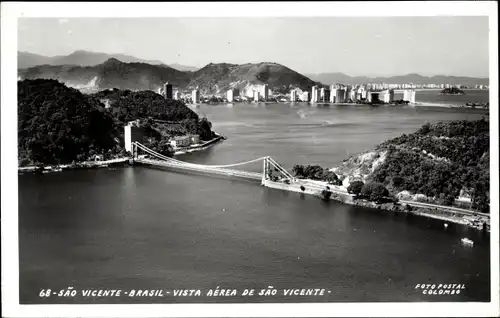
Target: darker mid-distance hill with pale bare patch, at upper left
x=110 y=74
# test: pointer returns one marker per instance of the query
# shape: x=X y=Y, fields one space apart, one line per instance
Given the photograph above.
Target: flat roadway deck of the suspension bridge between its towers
x=220 y=171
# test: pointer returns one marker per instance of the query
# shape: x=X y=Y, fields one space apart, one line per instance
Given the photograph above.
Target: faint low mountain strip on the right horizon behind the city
x=329 y=78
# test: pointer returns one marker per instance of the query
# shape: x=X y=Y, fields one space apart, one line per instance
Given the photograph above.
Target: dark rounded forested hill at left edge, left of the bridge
x=57 y=124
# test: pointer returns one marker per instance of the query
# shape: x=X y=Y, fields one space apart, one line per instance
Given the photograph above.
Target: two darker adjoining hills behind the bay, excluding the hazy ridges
x=212 y=78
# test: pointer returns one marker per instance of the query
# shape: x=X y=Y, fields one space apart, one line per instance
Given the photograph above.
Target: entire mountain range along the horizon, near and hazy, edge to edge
x=93 y=70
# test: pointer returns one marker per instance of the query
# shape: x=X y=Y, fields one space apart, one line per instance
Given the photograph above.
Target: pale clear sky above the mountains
x=356 y=46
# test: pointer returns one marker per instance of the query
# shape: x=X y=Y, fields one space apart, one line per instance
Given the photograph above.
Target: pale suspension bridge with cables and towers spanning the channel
x=269 y=166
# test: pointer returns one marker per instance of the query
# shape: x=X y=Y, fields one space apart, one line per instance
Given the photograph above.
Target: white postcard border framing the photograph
x=10 y=289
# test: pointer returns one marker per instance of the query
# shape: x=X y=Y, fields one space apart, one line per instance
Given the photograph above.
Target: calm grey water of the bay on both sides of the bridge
x=133 y=228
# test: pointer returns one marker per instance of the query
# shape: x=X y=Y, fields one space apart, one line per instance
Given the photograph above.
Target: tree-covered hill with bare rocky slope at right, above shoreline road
x=440 y=161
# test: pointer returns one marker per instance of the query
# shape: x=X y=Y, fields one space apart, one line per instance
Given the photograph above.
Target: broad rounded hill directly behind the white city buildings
x=216 y=78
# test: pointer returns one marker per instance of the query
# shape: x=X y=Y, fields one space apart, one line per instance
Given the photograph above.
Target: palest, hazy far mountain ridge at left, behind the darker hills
x=79 y=58
